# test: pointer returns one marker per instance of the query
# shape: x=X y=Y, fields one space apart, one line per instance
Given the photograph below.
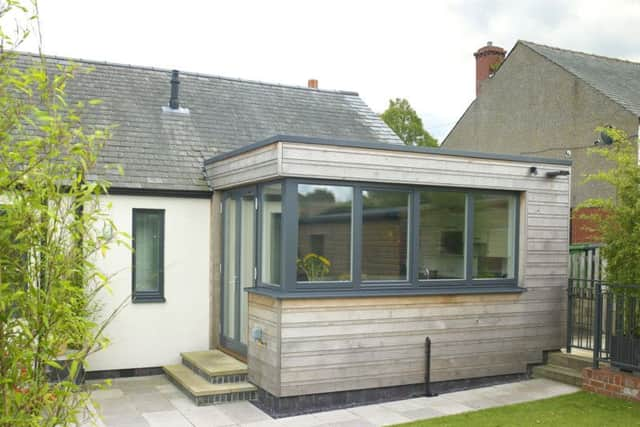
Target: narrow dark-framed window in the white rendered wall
x=148 y=255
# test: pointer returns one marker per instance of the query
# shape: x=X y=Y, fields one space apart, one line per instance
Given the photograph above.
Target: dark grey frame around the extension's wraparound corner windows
x=356 y=286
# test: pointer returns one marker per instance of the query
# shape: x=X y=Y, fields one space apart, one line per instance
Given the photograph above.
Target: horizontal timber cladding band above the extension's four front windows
x=359 y=164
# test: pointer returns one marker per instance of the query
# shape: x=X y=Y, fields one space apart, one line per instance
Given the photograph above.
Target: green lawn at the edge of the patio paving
x=576 y=409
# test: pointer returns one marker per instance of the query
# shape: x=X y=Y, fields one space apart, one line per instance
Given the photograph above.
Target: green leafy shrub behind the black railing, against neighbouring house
x=617 y=218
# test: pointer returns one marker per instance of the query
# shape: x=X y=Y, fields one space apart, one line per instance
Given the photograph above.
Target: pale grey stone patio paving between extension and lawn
x=154 y=402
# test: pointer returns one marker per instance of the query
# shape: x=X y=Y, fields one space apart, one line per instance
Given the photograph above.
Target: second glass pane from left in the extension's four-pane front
x=385 y=223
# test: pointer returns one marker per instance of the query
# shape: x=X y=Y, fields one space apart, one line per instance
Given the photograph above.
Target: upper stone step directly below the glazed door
x=215 y=366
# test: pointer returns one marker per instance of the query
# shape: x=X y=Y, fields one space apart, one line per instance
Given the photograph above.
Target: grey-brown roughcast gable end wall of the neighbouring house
x=532 y=105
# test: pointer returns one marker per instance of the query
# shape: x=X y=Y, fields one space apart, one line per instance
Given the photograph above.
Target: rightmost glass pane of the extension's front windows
x=493 y=236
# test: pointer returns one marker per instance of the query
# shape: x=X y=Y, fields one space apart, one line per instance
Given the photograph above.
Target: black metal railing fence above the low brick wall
x=605 y=318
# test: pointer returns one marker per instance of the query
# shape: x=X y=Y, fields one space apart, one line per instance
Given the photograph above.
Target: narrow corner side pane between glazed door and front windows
x=271 y=238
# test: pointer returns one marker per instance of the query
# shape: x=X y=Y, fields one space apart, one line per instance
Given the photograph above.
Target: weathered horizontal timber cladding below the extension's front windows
x=329 y=345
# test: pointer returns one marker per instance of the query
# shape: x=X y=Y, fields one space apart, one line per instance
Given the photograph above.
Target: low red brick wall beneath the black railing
x=621 y=385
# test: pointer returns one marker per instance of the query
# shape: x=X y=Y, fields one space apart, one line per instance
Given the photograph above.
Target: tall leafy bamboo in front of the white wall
x=52 y=228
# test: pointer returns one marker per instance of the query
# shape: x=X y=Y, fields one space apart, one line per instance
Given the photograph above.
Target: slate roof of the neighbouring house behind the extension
x=616 y=78
